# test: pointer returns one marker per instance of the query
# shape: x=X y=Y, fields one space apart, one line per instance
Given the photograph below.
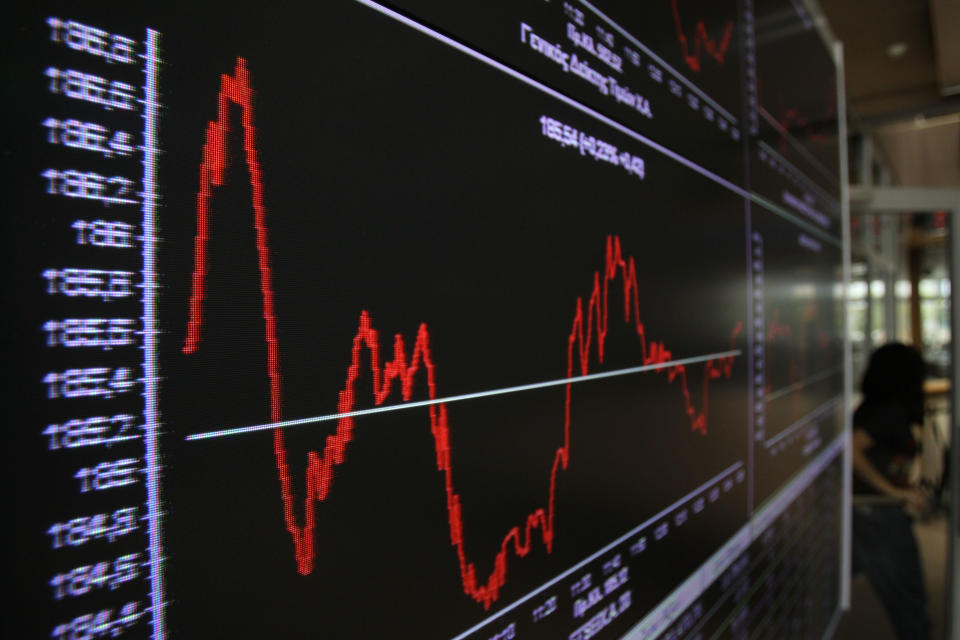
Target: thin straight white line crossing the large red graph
x=457 y=398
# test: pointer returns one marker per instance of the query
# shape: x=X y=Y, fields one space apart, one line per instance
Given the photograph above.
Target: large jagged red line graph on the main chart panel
x=587 y=336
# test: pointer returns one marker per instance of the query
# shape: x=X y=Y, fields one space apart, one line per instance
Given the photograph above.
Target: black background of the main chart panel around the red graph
x=411 y=181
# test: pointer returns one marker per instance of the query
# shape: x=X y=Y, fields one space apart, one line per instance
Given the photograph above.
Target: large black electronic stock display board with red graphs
x=423 y=319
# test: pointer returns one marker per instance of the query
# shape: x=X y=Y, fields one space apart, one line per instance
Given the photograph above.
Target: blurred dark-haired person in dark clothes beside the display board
x=884 y=448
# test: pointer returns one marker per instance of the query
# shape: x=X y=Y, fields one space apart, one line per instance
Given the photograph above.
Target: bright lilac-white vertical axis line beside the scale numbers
x=150 y=379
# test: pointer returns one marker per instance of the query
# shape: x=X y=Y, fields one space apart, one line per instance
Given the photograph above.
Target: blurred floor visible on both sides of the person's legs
x=867 y=618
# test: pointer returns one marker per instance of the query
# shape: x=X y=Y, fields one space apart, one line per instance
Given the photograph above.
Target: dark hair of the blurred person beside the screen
x=895 y=376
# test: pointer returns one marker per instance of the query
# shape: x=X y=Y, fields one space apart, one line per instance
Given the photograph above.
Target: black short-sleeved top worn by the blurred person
x=894 y=446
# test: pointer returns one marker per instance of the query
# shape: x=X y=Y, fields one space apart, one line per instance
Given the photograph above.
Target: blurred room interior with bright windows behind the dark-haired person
x=902 y=62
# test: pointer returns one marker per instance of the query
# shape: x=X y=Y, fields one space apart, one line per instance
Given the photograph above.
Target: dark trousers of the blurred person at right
x=884 y=548
